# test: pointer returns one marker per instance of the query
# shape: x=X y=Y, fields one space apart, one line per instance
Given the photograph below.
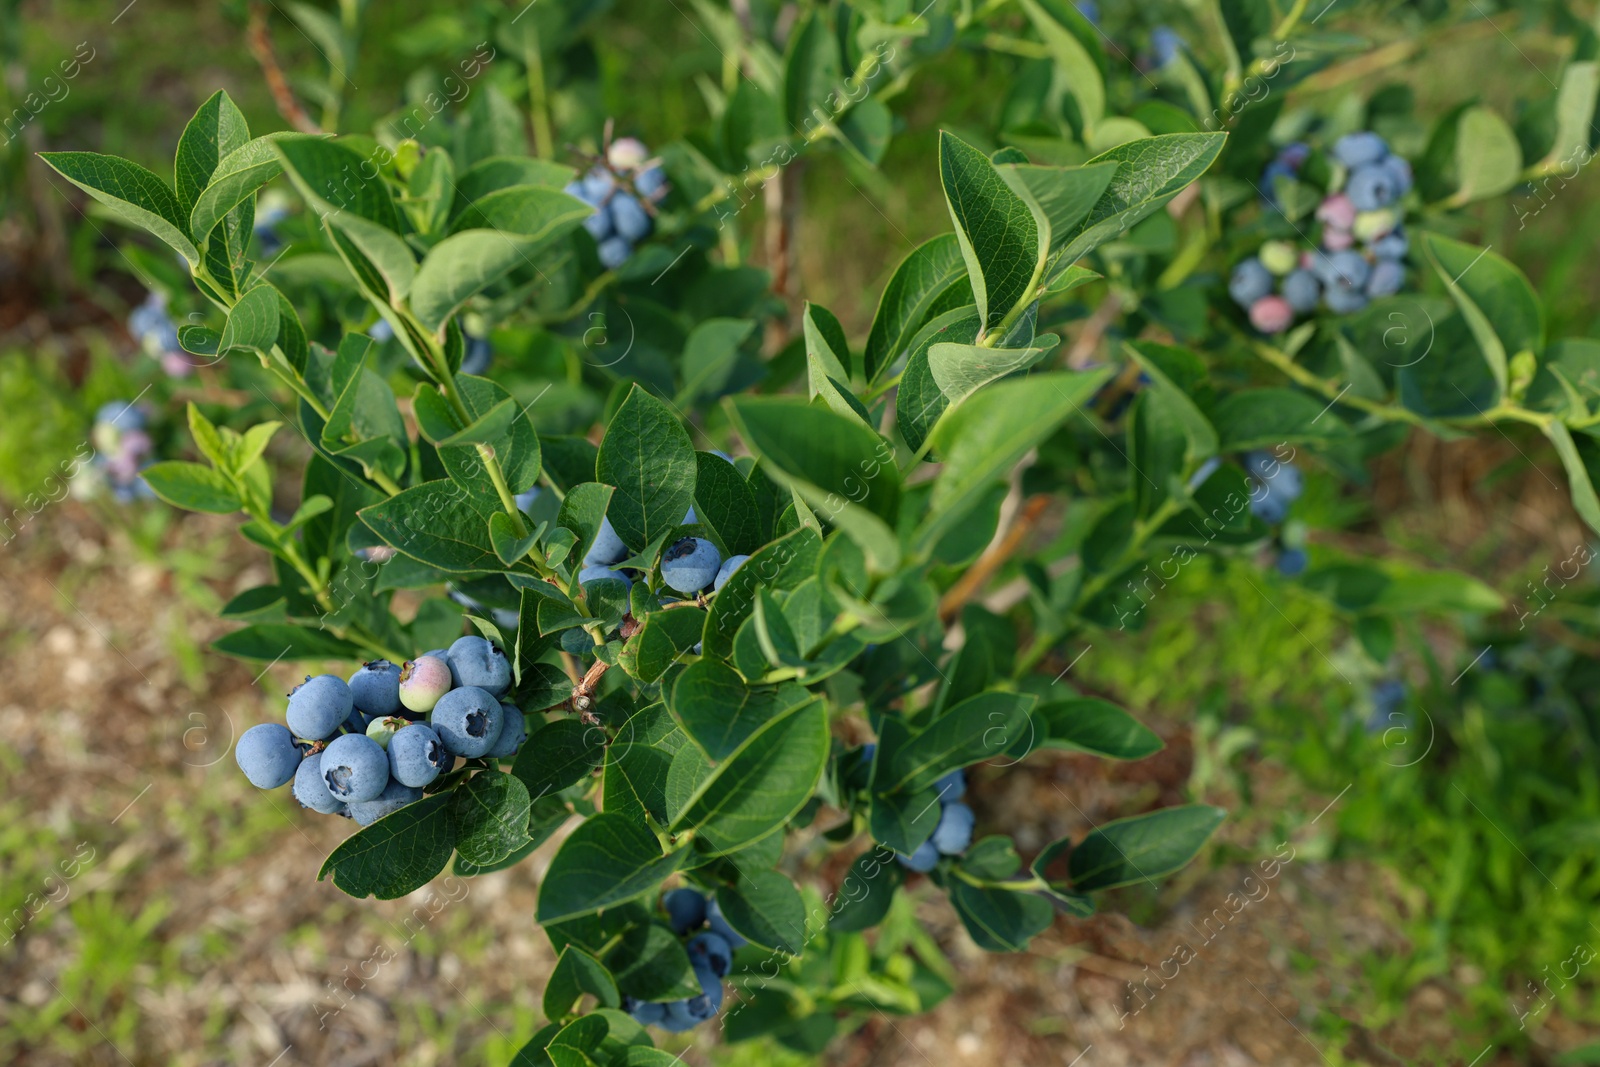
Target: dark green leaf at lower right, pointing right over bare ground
x=1142 y=849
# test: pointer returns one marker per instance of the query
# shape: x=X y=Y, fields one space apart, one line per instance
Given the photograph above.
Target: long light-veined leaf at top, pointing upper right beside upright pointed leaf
x=1153 y=172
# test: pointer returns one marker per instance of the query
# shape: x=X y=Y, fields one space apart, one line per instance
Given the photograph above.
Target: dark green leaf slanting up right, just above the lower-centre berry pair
x=975 y=730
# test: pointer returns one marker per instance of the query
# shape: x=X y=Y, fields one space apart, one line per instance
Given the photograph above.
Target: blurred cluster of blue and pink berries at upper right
x=1362 y=206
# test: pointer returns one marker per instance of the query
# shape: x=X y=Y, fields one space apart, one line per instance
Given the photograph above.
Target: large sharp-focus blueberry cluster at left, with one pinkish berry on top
x=366 y=748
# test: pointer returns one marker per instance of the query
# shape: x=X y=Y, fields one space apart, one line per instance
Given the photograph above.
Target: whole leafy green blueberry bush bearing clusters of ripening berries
x=746 y=586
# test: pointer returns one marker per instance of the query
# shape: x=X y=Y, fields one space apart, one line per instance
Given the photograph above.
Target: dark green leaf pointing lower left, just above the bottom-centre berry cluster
x=606 y=861
